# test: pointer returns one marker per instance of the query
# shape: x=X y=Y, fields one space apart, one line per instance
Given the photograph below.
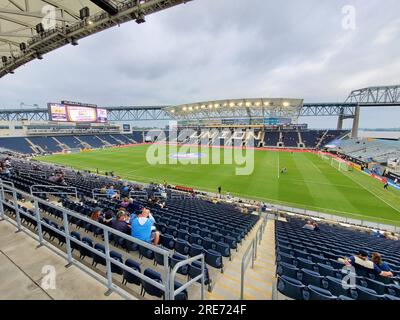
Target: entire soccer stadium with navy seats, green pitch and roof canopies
x=238 y=198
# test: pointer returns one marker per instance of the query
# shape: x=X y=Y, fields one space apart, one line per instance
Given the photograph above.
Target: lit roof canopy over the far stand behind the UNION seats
x=238 y=108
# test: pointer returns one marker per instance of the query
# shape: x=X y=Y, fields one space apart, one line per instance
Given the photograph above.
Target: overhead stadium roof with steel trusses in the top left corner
x=31 y=28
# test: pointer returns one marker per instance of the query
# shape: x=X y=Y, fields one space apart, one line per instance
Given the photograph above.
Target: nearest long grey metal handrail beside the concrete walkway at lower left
x=8 y=198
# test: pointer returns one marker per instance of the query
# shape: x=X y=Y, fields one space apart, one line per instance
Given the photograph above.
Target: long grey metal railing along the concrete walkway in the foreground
x=165 y=286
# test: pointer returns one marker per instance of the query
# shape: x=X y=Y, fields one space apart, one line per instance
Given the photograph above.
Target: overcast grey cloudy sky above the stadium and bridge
x=217 y=49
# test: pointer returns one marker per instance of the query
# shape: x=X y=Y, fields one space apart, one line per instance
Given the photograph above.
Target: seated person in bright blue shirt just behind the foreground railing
x=143 y=228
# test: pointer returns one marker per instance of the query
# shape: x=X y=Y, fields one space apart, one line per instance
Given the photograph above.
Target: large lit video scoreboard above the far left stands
x=68 y=111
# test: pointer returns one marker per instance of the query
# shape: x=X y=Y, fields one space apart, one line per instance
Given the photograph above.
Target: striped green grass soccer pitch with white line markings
x=310 y=182
